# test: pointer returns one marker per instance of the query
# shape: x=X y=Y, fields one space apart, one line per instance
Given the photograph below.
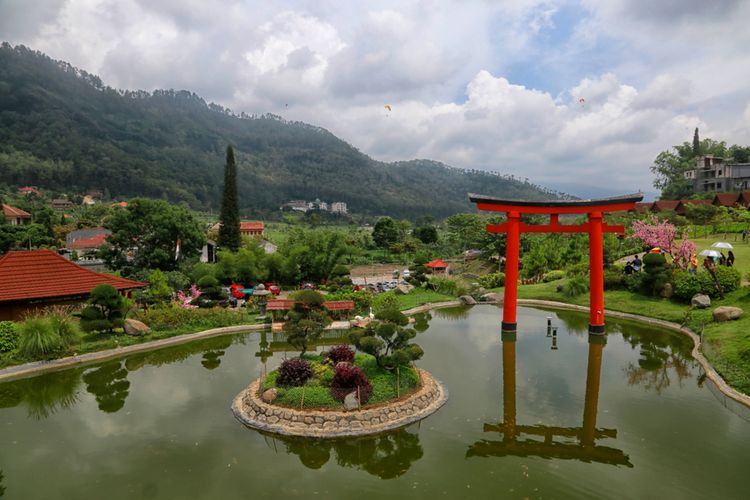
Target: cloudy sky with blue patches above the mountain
x=576 y=95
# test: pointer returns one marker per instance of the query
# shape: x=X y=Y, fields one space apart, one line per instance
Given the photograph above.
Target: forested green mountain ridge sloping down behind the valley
x=63 y=129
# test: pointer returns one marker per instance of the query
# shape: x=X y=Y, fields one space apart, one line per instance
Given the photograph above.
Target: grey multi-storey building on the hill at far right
x=716 y=174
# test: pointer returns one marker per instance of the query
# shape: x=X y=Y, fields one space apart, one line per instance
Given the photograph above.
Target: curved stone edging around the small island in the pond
x=252 y=411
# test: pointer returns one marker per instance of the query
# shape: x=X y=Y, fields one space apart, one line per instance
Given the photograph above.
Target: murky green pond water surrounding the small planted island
x=159 y=425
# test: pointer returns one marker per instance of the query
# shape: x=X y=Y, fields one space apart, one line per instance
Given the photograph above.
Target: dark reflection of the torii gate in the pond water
x=586 y=449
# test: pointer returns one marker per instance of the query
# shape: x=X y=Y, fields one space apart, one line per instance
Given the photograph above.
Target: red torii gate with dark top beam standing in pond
x=595 y=227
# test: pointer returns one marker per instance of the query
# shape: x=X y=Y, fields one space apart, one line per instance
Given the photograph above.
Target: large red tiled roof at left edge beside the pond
x=41 y=274
